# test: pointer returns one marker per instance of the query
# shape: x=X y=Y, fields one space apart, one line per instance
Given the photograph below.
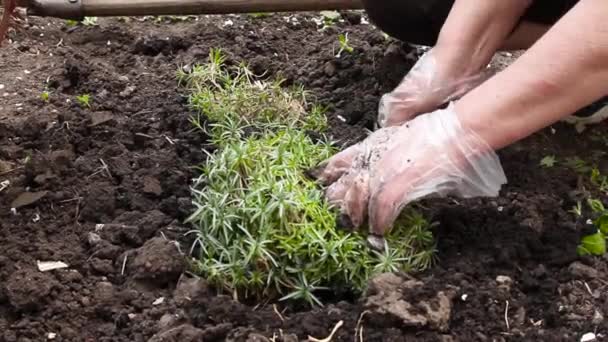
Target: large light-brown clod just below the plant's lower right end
x=386 y=300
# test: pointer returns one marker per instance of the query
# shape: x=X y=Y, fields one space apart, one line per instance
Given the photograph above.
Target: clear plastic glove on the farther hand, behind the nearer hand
x=425 y=88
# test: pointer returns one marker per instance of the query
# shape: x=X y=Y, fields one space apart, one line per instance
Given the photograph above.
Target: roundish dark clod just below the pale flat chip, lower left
x=28 y=289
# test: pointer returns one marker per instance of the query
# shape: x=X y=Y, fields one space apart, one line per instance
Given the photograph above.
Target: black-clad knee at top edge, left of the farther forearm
x=412 y=21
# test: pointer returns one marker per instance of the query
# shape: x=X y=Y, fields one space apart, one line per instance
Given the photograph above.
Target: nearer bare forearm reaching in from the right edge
x=566 y=70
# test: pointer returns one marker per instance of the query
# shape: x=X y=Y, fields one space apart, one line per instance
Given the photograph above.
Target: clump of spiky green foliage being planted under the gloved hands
x=263 y=229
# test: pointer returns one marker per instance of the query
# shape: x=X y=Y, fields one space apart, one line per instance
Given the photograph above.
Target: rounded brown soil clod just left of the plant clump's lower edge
x=158 y=261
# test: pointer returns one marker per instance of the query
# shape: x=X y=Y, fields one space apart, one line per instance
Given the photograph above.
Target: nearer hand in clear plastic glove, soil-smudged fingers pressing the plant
x=432 y=154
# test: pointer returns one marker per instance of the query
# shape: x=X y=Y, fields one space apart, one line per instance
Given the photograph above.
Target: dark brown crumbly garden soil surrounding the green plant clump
x=105 y=189
